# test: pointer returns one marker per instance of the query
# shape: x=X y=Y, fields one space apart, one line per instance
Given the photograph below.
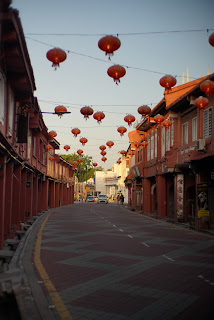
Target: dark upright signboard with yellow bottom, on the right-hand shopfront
x=203 y=209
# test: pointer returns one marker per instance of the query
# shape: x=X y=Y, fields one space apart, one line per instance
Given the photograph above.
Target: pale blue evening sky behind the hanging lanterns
x=155 y=40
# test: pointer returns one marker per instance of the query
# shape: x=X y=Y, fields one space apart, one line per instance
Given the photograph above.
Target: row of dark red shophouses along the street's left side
x=32 y=178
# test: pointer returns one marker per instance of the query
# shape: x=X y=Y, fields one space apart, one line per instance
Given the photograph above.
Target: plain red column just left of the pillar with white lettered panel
x=161 y=195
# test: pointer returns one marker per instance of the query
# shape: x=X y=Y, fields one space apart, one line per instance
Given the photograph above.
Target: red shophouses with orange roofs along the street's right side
x=173 y=176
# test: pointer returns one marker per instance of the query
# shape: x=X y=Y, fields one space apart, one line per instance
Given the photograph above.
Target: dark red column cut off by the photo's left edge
x=2 y=197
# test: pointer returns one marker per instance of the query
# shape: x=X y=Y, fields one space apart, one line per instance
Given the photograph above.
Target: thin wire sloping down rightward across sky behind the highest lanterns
x=107 y=61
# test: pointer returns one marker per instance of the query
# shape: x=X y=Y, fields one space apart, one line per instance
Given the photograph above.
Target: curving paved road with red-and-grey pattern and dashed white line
x=100 y=261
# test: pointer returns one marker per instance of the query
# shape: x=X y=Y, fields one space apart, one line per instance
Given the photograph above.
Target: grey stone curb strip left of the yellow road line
x=32 y=302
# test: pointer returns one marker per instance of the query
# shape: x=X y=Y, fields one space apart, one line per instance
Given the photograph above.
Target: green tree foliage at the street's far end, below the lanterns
x=85 y=169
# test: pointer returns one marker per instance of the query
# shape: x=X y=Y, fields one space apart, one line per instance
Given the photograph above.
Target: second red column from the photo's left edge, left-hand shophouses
x=8 y=198
